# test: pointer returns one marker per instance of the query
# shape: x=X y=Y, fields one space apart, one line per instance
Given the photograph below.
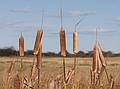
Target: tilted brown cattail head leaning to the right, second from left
x=38 y=41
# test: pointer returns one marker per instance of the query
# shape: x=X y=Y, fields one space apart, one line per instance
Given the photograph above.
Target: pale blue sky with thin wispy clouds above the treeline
x=25 y=16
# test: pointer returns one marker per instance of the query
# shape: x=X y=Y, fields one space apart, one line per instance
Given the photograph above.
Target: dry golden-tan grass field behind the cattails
x=52 y=67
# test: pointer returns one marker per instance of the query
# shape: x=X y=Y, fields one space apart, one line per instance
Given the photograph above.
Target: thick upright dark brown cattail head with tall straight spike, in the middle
x=62 y=42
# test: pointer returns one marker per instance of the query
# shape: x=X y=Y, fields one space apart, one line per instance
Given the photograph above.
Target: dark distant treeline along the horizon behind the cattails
x=10 y=51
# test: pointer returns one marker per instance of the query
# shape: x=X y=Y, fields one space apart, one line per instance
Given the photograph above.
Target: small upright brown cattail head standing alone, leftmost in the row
x=21 y=46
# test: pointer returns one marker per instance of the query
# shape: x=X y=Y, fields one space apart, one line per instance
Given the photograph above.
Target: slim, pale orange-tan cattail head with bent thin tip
x=75 y=42
